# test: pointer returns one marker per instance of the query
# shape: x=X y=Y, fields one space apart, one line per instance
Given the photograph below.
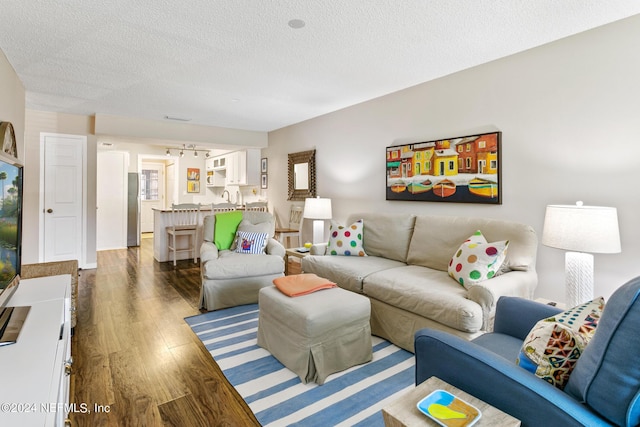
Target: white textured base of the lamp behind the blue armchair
x=578 y=277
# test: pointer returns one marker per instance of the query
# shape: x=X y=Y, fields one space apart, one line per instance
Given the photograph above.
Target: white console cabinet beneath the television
x=34 y=372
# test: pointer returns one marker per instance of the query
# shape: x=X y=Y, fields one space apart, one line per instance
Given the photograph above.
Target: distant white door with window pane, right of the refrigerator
x=151 y=193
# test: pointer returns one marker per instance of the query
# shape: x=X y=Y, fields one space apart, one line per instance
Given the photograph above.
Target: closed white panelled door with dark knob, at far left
x=62 y=199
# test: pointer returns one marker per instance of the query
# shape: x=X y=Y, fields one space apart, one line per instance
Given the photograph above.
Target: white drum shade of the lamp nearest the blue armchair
x=592 y=229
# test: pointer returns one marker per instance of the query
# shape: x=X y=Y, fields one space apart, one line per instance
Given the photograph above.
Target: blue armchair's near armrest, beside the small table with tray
x=497 y=381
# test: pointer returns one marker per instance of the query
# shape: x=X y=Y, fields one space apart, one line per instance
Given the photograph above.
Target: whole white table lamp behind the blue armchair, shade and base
x=581 y=230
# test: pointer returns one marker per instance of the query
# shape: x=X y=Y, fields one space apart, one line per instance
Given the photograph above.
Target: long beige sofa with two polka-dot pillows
x=405 y=273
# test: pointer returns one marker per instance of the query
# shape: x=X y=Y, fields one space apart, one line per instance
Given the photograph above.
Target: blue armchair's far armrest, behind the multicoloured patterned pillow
x=516 y=316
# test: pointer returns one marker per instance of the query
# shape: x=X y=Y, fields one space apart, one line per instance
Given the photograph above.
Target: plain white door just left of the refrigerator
x=111 y=199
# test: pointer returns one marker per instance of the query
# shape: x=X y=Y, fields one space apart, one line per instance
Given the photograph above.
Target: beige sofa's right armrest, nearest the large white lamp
x=513 y=284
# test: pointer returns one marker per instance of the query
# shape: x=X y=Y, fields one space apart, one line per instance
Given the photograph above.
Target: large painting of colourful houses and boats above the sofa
x=464 y=169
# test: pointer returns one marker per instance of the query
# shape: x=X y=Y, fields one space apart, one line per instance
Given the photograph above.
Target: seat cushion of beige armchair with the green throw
x=232 y=265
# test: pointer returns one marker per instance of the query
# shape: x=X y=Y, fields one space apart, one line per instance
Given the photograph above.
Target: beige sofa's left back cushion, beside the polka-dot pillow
x=386 y=235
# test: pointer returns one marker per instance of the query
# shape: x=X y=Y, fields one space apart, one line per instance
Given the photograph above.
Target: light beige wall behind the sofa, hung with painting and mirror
x=569 y=113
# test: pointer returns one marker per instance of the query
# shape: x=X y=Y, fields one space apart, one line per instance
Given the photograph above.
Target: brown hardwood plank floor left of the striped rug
x=136 y=362
